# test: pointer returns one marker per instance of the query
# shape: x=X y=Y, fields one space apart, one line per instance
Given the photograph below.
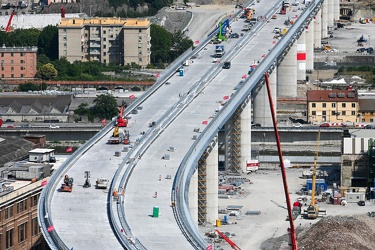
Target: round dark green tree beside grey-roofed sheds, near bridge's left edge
x=105 y=107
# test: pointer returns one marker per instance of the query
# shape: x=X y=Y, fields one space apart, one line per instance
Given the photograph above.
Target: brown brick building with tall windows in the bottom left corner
x=19 y=228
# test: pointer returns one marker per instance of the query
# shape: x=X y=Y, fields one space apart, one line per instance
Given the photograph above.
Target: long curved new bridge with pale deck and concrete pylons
x=173 y=164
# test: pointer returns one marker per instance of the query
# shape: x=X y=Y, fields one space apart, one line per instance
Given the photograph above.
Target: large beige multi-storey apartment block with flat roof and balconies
x=107 y=40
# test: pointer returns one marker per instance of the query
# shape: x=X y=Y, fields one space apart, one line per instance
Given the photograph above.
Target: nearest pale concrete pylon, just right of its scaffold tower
x=212 y=185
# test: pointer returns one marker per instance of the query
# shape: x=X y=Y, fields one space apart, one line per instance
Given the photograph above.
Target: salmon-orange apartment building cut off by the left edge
x=18 y=62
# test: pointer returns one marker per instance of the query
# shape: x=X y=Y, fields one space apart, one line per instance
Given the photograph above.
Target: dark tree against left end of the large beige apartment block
x=48 y=42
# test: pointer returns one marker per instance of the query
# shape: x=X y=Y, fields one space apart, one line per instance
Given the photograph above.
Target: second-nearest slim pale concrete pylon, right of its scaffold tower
x=246 y=135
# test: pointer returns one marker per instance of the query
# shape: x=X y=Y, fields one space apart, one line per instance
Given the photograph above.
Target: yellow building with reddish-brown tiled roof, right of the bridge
x=332 y=106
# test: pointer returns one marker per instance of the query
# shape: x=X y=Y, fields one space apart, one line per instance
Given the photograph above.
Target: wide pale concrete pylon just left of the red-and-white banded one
x=287 y=74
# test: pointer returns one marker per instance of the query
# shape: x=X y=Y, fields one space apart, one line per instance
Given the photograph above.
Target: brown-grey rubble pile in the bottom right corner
x=339 y=232
